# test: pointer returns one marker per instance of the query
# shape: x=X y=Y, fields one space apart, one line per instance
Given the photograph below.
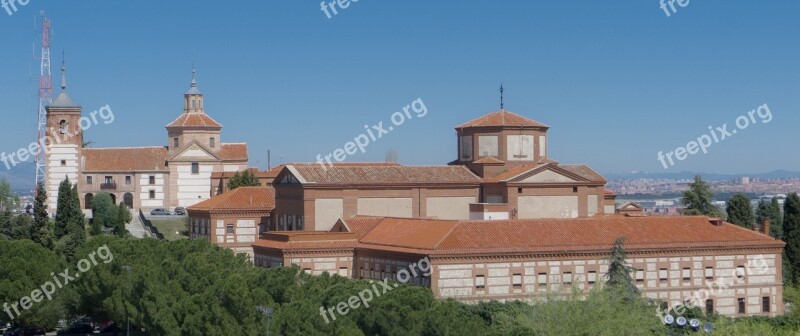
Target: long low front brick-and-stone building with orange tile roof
x=534 y=259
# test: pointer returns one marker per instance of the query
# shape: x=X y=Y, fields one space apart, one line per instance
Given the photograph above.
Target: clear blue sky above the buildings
x=617 y=81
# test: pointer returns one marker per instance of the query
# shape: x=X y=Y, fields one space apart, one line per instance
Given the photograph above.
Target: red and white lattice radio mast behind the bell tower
x=45 y=98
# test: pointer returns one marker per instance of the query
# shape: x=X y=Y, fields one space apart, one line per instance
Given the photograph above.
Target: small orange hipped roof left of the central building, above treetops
x=242 y=198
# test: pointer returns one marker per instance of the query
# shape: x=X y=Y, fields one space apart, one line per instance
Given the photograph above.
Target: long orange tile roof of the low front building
x=596 y=234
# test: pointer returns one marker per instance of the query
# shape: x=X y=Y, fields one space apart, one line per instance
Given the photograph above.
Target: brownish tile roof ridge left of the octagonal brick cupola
x=382 y=174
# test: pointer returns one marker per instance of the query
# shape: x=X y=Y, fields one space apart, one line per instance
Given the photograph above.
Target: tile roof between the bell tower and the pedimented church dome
x=124 y=159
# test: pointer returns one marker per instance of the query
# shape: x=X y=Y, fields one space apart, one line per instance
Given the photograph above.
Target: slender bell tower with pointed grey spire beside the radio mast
x=63 y=142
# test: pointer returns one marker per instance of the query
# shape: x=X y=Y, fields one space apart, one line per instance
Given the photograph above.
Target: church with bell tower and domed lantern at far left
x=178 y=174
